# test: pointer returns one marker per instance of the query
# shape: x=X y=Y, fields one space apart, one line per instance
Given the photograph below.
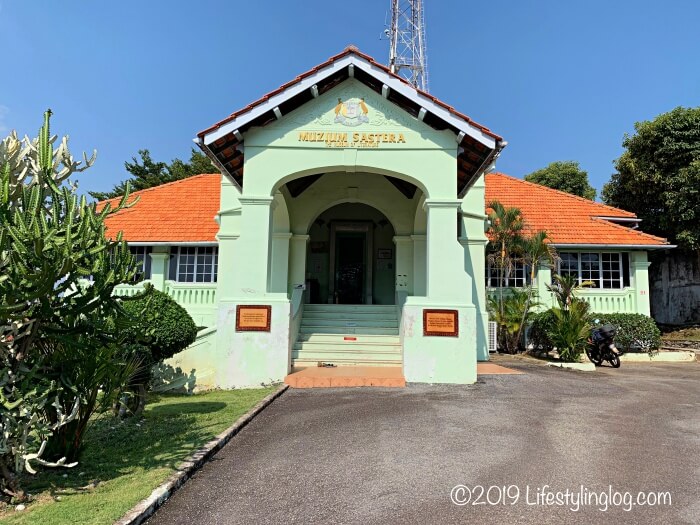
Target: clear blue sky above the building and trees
x=559 y=80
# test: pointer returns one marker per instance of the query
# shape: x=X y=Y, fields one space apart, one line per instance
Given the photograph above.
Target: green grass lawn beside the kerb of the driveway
x=123 y=462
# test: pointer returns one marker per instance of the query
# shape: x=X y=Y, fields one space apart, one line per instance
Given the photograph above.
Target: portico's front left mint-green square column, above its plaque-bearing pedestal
x=251 y=257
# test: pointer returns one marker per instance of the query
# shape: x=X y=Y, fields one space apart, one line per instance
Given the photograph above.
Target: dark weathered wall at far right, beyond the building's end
x=675 y=287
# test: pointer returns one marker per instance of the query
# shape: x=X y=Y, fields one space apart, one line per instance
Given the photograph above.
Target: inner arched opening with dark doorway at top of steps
x=351 y=258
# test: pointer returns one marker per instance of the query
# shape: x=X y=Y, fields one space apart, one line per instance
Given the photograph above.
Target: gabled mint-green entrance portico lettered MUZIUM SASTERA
x=358 y=190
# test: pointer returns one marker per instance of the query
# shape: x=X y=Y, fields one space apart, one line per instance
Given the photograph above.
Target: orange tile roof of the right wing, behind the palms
x=566 y=218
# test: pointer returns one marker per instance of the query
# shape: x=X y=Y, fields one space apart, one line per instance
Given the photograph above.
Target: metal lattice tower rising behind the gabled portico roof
x=407 y=56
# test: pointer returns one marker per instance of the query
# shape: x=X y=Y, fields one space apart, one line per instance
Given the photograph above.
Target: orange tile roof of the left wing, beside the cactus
x=180 y=211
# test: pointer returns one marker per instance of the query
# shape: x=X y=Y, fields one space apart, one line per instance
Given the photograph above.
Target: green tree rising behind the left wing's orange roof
x=146 y=173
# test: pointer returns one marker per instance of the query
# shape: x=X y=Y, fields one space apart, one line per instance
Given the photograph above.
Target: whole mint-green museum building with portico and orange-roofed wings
x=349 y=227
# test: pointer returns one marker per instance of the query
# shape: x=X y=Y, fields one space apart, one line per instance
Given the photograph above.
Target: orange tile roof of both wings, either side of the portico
x=184 y=210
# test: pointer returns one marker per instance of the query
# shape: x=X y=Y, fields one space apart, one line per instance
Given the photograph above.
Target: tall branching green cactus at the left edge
x=51 y=241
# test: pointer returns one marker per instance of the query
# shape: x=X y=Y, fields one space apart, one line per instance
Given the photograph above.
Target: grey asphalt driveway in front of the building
x=392 y=456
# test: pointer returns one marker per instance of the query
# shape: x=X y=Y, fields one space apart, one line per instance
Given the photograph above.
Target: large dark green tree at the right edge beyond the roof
x=658 y=176
